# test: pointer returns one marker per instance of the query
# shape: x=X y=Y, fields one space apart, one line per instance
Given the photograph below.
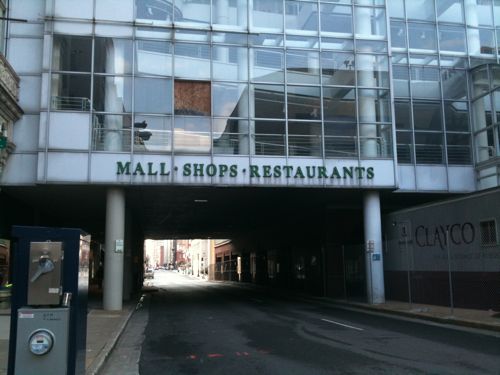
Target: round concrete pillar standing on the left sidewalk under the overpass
x=113 y=260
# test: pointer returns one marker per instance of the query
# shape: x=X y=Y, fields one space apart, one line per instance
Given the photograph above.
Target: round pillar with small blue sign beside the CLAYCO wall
x=373 y=248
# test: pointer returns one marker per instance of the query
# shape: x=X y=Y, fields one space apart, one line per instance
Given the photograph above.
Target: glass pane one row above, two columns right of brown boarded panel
x=268 y=65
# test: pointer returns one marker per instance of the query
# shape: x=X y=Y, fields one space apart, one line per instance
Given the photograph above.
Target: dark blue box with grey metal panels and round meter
x=48 y=265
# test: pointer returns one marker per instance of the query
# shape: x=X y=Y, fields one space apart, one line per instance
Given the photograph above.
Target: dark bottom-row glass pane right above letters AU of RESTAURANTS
x=304 y=139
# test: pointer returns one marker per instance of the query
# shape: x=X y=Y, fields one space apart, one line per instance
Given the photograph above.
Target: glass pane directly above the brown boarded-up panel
x=192 y=60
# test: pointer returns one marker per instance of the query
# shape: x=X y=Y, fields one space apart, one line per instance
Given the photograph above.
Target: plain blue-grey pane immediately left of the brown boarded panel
x=153 y=95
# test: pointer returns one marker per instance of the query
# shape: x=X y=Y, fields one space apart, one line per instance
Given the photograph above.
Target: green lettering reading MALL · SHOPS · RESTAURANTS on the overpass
x=254 y=171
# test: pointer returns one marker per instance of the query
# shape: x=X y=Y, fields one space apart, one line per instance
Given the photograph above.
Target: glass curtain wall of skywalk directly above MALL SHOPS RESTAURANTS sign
x=261 y=77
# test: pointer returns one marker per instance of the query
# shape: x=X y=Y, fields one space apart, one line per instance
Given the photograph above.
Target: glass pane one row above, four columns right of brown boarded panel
x=337 y=68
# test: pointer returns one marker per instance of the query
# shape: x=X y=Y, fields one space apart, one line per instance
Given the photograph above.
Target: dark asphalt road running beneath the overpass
x=196 y=327
